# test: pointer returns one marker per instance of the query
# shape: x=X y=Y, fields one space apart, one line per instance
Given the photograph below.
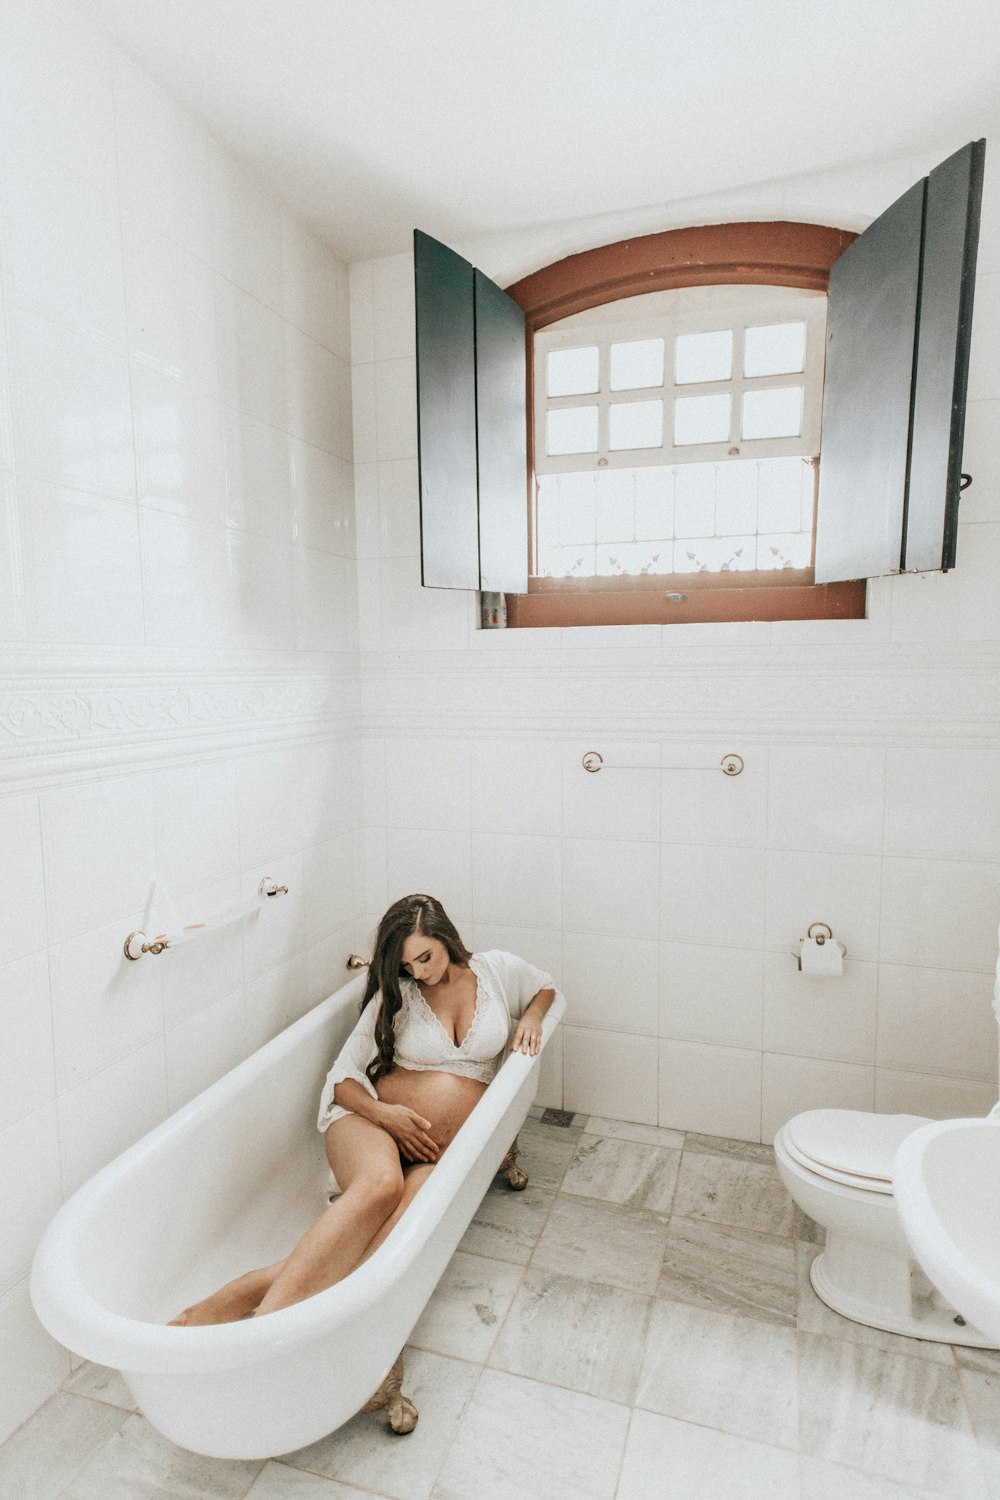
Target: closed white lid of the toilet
x=851 y=1147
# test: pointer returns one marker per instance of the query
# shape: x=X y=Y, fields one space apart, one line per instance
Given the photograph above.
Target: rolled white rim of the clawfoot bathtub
x=76 y=1318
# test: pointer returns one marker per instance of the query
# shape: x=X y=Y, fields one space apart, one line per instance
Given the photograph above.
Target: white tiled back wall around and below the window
x=671 y=902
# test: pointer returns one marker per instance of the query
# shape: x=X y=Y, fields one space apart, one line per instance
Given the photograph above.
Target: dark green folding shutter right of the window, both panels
x=897 y=365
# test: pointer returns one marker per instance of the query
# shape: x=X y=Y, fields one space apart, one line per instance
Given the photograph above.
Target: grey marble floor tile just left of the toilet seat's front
x=735 y=1192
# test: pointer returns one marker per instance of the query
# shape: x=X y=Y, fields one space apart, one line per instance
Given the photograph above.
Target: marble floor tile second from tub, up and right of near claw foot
x=575 y=1334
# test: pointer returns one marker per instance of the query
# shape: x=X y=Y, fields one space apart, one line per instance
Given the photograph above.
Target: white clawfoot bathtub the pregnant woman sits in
x=227 y=1184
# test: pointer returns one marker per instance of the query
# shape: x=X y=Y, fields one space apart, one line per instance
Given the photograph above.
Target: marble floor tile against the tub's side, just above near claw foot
x=469 y=1307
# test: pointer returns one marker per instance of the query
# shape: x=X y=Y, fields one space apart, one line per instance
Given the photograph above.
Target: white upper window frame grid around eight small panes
x=747 y=307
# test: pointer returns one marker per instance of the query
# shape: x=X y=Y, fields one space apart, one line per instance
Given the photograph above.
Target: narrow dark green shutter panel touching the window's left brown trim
x=501 y=439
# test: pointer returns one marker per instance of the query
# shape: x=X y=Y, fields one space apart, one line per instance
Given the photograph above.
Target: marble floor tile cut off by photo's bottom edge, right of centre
x=668 y=1460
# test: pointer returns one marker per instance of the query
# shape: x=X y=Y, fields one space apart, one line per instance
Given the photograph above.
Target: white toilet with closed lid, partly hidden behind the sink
x=837 y=1165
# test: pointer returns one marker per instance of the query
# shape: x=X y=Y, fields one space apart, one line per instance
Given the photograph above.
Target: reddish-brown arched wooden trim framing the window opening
x=774 y=254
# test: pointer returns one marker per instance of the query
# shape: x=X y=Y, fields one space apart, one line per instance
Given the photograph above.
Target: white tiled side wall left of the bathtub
x=178 y=607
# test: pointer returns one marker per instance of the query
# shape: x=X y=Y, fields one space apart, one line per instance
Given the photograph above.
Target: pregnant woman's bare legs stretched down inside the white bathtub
x=367 y=1165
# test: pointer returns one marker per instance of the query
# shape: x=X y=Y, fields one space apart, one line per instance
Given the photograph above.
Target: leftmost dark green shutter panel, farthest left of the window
x=446 y=416
